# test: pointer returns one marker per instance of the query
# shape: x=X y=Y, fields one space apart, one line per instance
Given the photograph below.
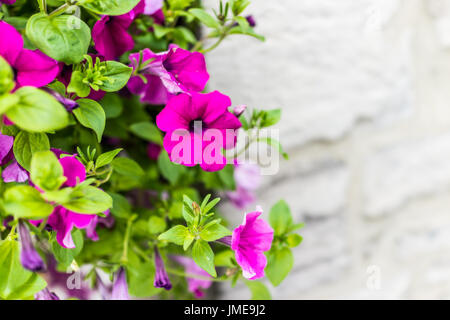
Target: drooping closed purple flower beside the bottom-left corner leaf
x=29 y=257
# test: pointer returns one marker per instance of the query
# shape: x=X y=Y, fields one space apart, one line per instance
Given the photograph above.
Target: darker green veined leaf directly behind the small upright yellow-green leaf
x=26 y=144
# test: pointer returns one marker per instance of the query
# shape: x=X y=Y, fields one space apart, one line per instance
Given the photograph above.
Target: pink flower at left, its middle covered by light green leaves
x=62 y=220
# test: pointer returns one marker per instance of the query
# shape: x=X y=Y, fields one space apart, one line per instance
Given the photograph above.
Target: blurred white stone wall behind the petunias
x=365 y=91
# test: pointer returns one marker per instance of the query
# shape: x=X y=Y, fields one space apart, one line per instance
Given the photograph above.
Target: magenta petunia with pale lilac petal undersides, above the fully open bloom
x=167 y=73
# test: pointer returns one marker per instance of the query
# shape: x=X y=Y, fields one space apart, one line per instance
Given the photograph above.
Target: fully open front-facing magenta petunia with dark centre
x=198 y=127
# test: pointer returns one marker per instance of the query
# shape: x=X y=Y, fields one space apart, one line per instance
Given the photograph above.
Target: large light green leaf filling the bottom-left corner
x=16 y=283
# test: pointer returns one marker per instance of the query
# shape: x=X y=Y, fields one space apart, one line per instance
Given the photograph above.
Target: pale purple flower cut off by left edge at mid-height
x=13 y=172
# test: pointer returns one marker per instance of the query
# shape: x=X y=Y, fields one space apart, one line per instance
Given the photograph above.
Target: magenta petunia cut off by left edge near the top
x=31 y=67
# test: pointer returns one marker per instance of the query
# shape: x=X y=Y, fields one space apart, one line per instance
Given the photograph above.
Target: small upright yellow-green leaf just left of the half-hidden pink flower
x=46 y=171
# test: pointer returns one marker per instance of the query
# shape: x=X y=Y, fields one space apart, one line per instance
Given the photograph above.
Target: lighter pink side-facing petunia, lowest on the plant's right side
x=249 y=241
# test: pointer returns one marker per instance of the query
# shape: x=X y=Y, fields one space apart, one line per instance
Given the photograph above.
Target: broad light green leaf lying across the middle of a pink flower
x=88 y=200
